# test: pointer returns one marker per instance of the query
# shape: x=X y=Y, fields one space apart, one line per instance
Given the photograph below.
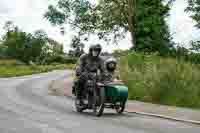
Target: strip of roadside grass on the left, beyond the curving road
x=13 y=68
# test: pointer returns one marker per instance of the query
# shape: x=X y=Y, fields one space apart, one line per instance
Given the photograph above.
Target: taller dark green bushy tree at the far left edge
x=21 y=45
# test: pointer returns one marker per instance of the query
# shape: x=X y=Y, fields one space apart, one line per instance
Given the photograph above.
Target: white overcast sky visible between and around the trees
x=28 y=15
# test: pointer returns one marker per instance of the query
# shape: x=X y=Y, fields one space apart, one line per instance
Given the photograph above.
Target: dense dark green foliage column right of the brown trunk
x=152 y=32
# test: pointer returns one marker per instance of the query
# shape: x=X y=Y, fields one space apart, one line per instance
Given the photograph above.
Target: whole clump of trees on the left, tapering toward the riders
x=27 y=47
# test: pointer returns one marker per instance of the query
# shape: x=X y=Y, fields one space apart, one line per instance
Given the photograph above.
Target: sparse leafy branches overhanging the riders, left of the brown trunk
x=101 y=19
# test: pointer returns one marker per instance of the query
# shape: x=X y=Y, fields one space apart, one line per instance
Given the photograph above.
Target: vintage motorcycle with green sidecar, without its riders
x=99 y=95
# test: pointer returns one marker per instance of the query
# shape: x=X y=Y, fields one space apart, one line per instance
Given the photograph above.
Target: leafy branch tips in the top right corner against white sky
x=193 y=9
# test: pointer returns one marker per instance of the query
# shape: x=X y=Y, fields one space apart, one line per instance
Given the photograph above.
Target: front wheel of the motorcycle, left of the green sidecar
x=98 y=102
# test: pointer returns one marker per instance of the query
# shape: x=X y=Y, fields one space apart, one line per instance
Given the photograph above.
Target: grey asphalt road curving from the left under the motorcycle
x=25 y=107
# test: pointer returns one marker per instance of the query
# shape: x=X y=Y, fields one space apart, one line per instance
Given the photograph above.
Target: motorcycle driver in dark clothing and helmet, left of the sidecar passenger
x=87 y=63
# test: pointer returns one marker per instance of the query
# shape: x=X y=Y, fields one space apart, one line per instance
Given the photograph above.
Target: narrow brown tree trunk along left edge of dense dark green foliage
x=132 y=21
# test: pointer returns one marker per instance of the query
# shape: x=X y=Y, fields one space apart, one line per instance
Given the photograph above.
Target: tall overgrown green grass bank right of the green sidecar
x=161 y=80
